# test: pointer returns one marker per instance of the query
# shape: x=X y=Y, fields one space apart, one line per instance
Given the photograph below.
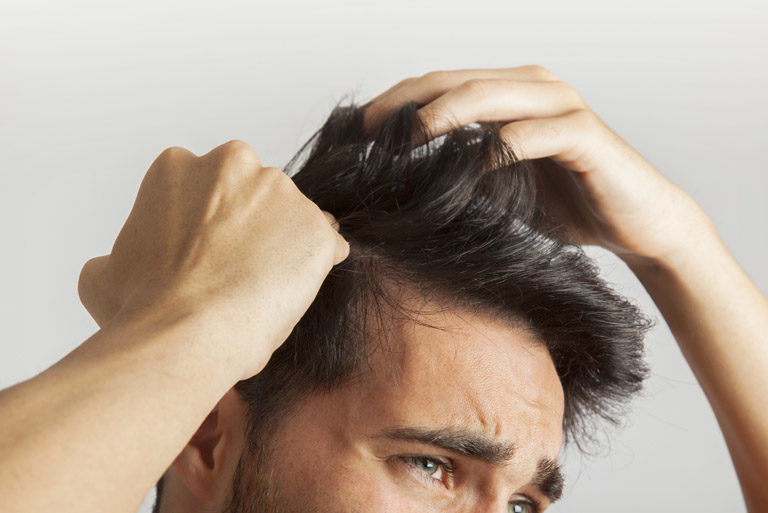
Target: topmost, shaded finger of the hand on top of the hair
x=433 y=85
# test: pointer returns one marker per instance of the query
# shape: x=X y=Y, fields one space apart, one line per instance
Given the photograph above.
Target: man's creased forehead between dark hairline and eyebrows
x=451 y=367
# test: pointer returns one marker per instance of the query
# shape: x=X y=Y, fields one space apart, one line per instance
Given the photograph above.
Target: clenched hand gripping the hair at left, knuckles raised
x=220 y=236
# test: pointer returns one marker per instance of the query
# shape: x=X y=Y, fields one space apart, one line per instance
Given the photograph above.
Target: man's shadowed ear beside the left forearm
x=208 y=461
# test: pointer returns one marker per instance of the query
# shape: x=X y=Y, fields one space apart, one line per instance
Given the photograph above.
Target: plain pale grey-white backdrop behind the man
x=92 y=92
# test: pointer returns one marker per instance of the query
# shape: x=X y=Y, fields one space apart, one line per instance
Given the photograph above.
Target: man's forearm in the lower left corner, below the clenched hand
x=95 y=431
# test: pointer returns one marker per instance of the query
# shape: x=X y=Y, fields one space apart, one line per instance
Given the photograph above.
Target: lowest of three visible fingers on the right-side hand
x=562 y=138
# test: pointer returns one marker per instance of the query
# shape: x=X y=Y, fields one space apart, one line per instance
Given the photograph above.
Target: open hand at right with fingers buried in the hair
x=589 y=179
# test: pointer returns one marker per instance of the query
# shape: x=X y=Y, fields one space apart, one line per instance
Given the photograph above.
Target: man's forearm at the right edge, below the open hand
x=720 y=320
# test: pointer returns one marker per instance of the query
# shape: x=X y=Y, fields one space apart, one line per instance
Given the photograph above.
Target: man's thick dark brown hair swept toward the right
x=455 y=215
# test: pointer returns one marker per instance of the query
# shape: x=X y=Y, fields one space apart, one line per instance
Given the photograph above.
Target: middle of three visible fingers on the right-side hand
x=498 y=100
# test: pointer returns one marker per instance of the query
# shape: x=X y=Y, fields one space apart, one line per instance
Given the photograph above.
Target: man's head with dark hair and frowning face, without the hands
x=443 y=362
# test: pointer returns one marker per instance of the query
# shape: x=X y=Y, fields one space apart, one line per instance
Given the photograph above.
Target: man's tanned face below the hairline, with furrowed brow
x=333 y=454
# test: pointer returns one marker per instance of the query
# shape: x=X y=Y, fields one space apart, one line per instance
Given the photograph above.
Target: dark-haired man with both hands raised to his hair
x=453 y=402
